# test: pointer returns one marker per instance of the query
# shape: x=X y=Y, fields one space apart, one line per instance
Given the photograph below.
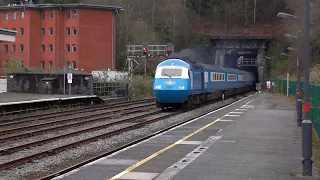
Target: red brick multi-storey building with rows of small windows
x=54 y=35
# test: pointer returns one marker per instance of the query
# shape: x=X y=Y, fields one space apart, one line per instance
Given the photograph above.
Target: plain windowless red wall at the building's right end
x=95 y=40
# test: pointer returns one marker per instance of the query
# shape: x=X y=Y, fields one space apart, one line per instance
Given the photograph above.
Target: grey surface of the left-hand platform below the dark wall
x=13 y=97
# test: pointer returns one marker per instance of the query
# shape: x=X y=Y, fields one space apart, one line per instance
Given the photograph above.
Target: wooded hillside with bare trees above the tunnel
x=187 y=23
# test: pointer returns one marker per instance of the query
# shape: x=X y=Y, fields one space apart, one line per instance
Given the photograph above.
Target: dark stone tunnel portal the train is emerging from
x=242 y=52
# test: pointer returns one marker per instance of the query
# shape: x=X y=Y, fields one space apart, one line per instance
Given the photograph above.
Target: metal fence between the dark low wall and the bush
x=110 y=89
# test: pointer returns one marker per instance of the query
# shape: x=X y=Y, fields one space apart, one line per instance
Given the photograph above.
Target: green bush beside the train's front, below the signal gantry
x=142 y=87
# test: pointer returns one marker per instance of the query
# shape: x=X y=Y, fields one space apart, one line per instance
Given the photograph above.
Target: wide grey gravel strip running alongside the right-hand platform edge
x=69 y=157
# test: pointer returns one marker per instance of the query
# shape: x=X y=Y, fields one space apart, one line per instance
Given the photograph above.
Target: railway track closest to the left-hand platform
x=67 y=112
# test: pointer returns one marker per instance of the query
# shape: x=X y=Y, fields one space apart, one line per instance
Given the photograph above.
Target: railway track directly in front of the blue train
x=133 y=123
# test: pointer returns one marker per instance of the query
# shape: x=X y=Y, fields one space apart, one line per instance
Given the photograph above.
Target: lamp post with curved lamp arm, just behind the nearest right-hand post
x=298 y=73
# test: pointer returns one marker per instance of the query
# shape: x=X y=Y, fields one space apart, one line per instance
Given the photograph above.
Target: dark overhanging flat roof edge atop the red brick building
x=62 y=7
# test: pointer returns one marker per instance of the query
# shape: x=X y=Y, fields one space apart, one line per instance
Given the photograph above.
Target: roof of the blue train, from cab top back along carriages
x=197 y=65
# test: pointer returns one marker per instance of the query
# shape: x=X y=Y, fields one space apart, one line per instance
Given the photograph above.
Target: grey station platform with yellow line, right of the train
x=252 y=139
